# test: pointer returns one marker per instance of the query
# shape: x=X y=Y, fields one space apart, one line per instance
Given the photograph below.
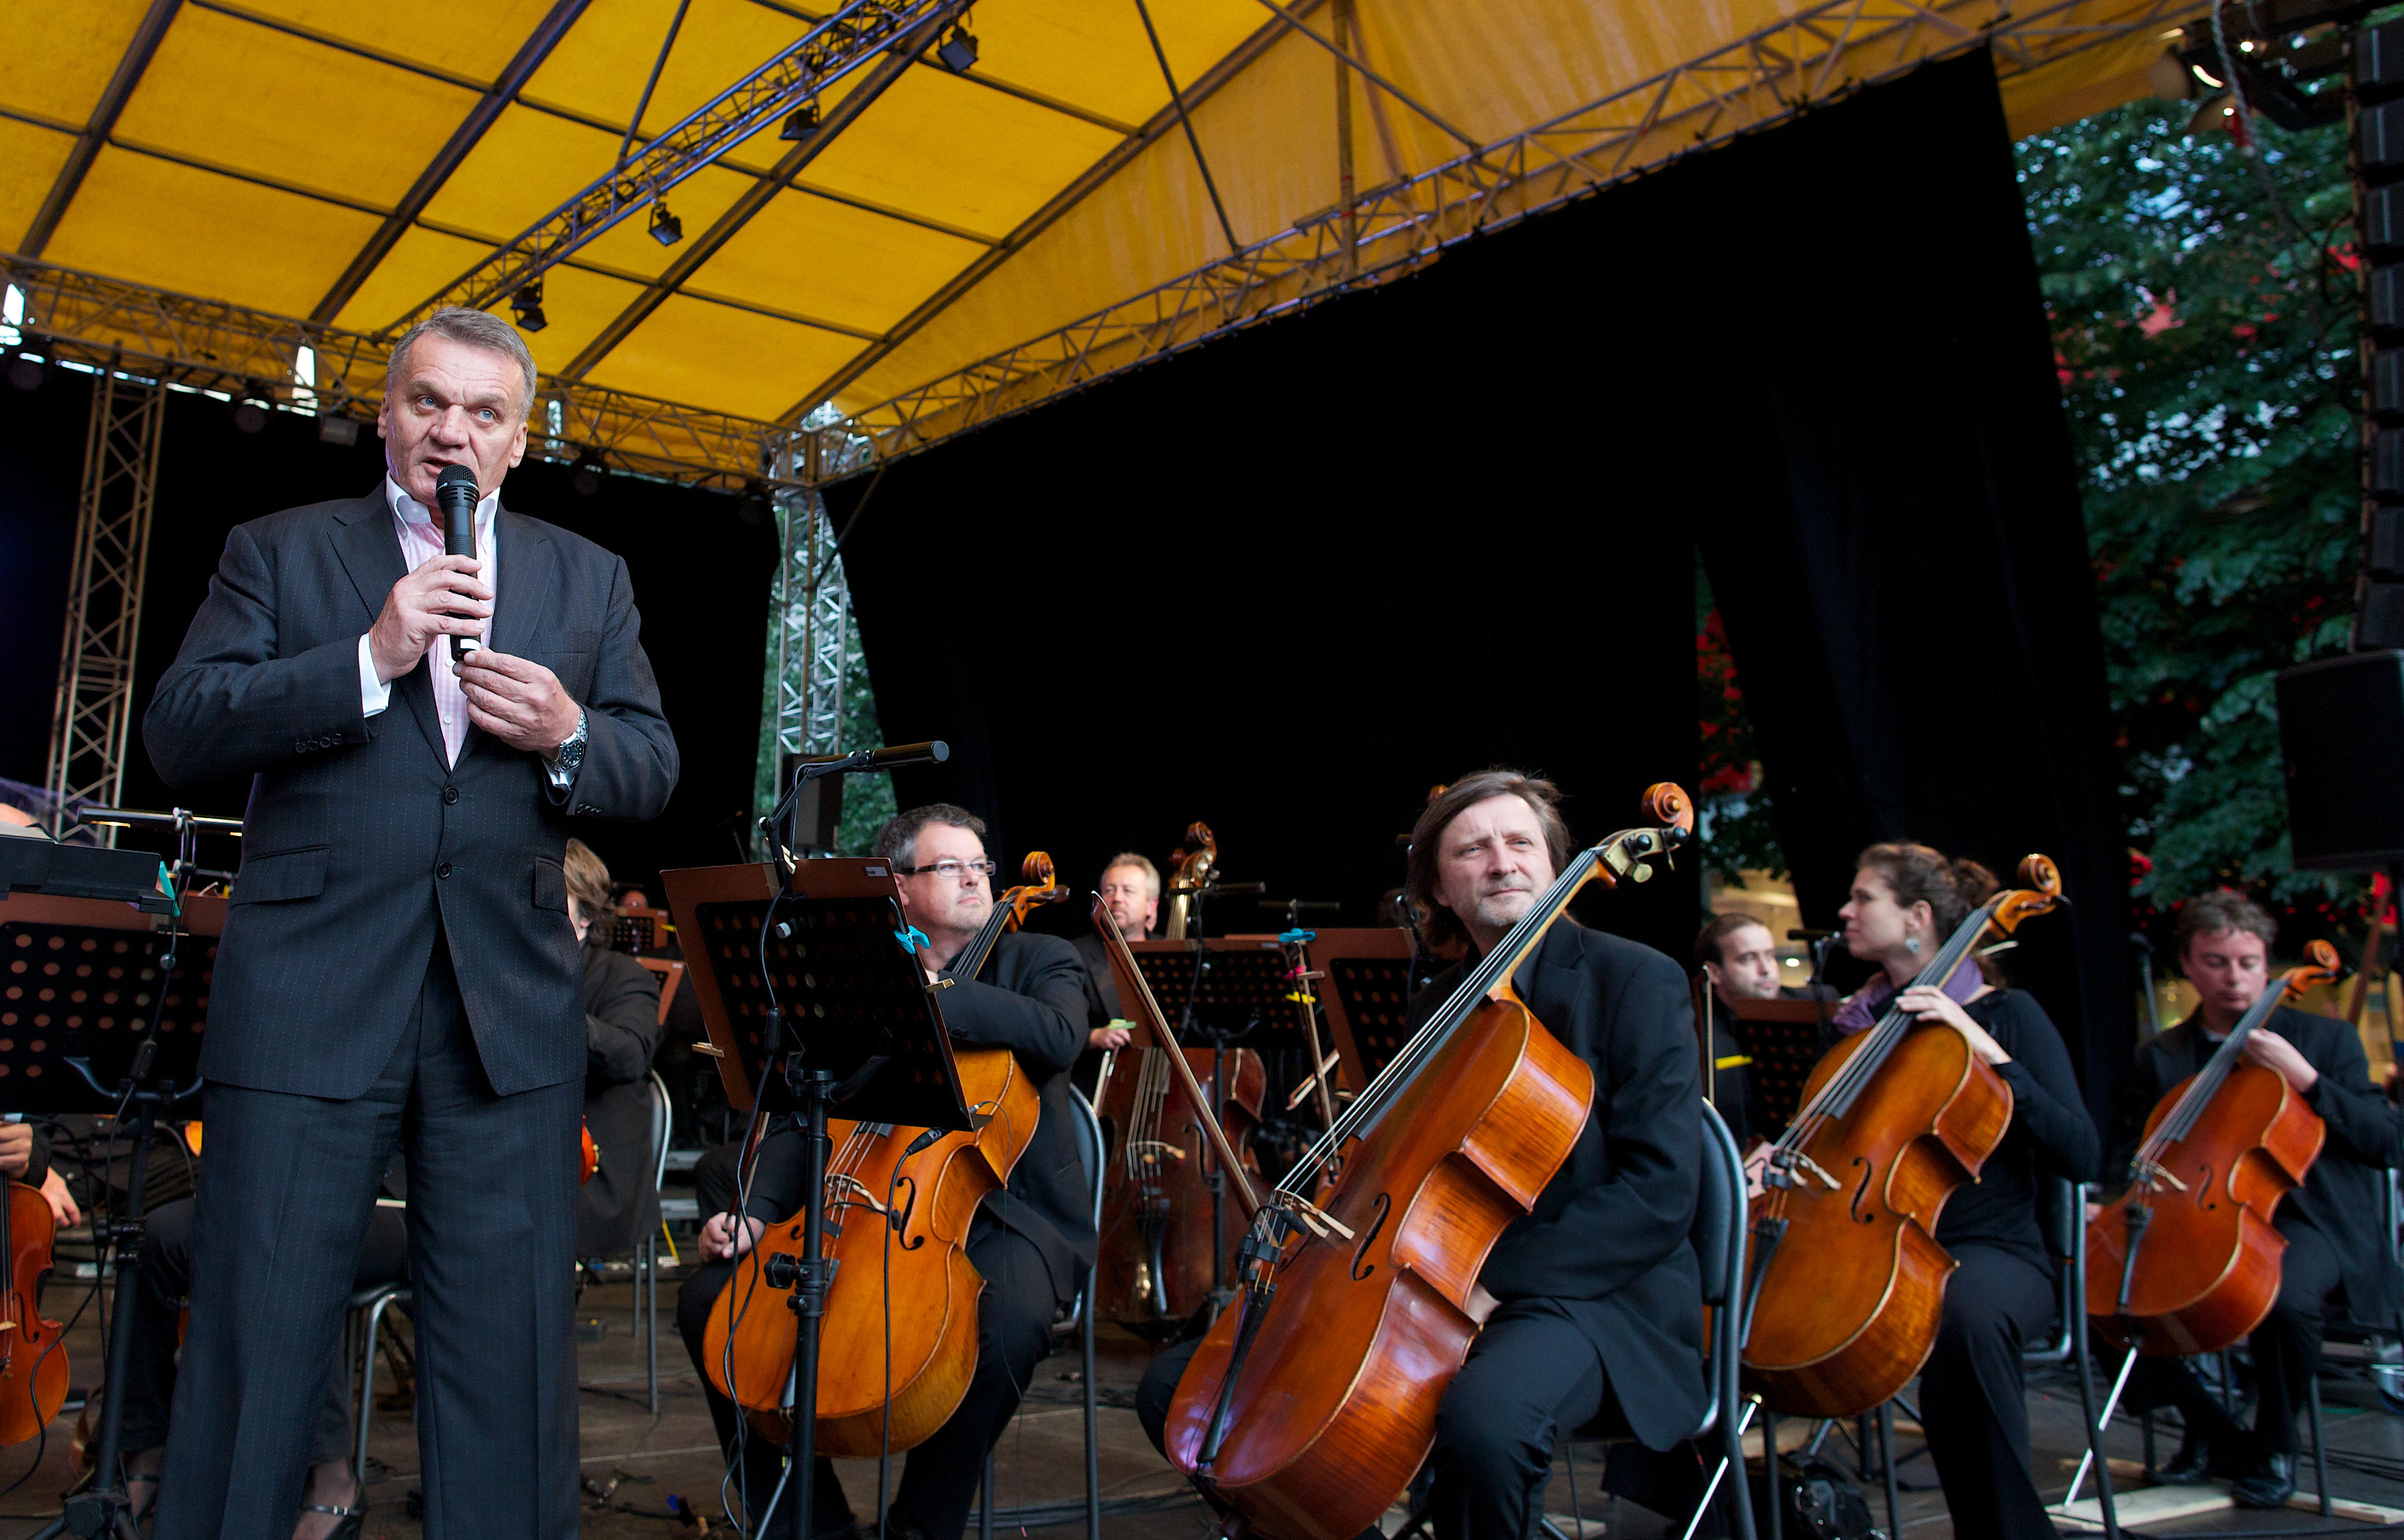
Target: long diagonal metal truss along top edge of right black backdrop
x=1811 y=59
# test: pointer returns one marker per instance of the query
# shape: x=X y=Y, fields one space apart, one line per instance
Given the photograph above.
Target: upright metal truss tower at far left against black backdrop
x=95 y=710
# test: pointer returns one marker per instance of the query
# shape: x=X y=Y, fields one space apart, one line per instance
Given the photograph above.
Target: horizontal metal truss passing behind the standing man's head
x=208 y=345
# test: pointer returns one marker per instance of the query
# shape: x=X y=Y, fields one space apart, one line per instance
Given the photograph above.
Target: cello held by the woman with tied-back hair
x=1893 y=1121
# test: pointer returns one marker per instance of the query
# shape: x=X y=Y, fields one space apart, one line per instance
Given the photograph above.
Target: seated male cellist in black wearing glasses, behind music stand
x=1033 y=1241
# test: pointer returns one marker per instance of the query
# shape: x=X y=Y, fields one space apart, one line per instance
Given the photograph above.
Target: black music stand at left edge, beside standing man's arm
x=102 y=1008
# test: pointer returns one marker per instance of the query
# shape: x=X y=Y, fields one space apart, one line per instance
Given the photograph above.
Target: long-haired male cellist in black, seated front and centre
x=1590 y=1303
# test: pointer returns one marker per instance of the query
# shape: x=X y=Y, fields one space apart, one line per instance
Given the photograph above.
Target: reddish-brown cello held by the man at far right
x=2186 y=1260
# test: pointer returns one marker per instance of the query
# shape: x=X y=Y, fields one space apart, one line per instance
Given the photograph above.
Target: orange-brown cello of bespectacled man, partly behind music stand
x=900 y=1253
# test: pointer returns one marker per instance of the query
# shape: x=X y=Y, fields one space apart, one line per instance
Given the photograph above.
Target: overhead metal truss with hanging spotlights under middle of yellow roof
x=797 y=76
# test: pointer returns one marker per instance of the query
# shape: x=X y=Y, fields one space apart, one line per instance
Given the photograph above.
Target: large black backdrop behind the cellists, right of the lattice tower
x=1295 y=578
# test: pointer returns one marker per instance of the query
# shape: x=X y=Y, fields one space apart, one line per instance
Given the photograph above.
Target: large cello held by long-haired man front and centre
x=1311 y=1404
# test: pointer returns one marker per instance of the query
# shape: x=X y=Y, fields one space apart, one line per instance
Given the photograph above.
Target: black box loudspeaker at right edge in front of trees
x=2343 y=739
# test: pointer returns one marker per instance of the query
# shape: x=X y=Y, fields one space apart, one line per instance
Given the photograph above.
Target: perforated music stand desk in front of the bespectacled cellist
x=847 y=989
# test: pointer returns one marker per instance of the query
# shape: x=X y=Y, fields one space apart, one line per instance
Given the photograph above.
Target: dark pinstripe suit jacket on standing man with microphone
x=362 y=844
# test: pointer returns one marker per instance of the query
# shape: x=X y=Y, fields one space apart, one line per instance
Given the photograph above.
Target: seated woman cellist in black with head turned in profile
x=1905 y=905
